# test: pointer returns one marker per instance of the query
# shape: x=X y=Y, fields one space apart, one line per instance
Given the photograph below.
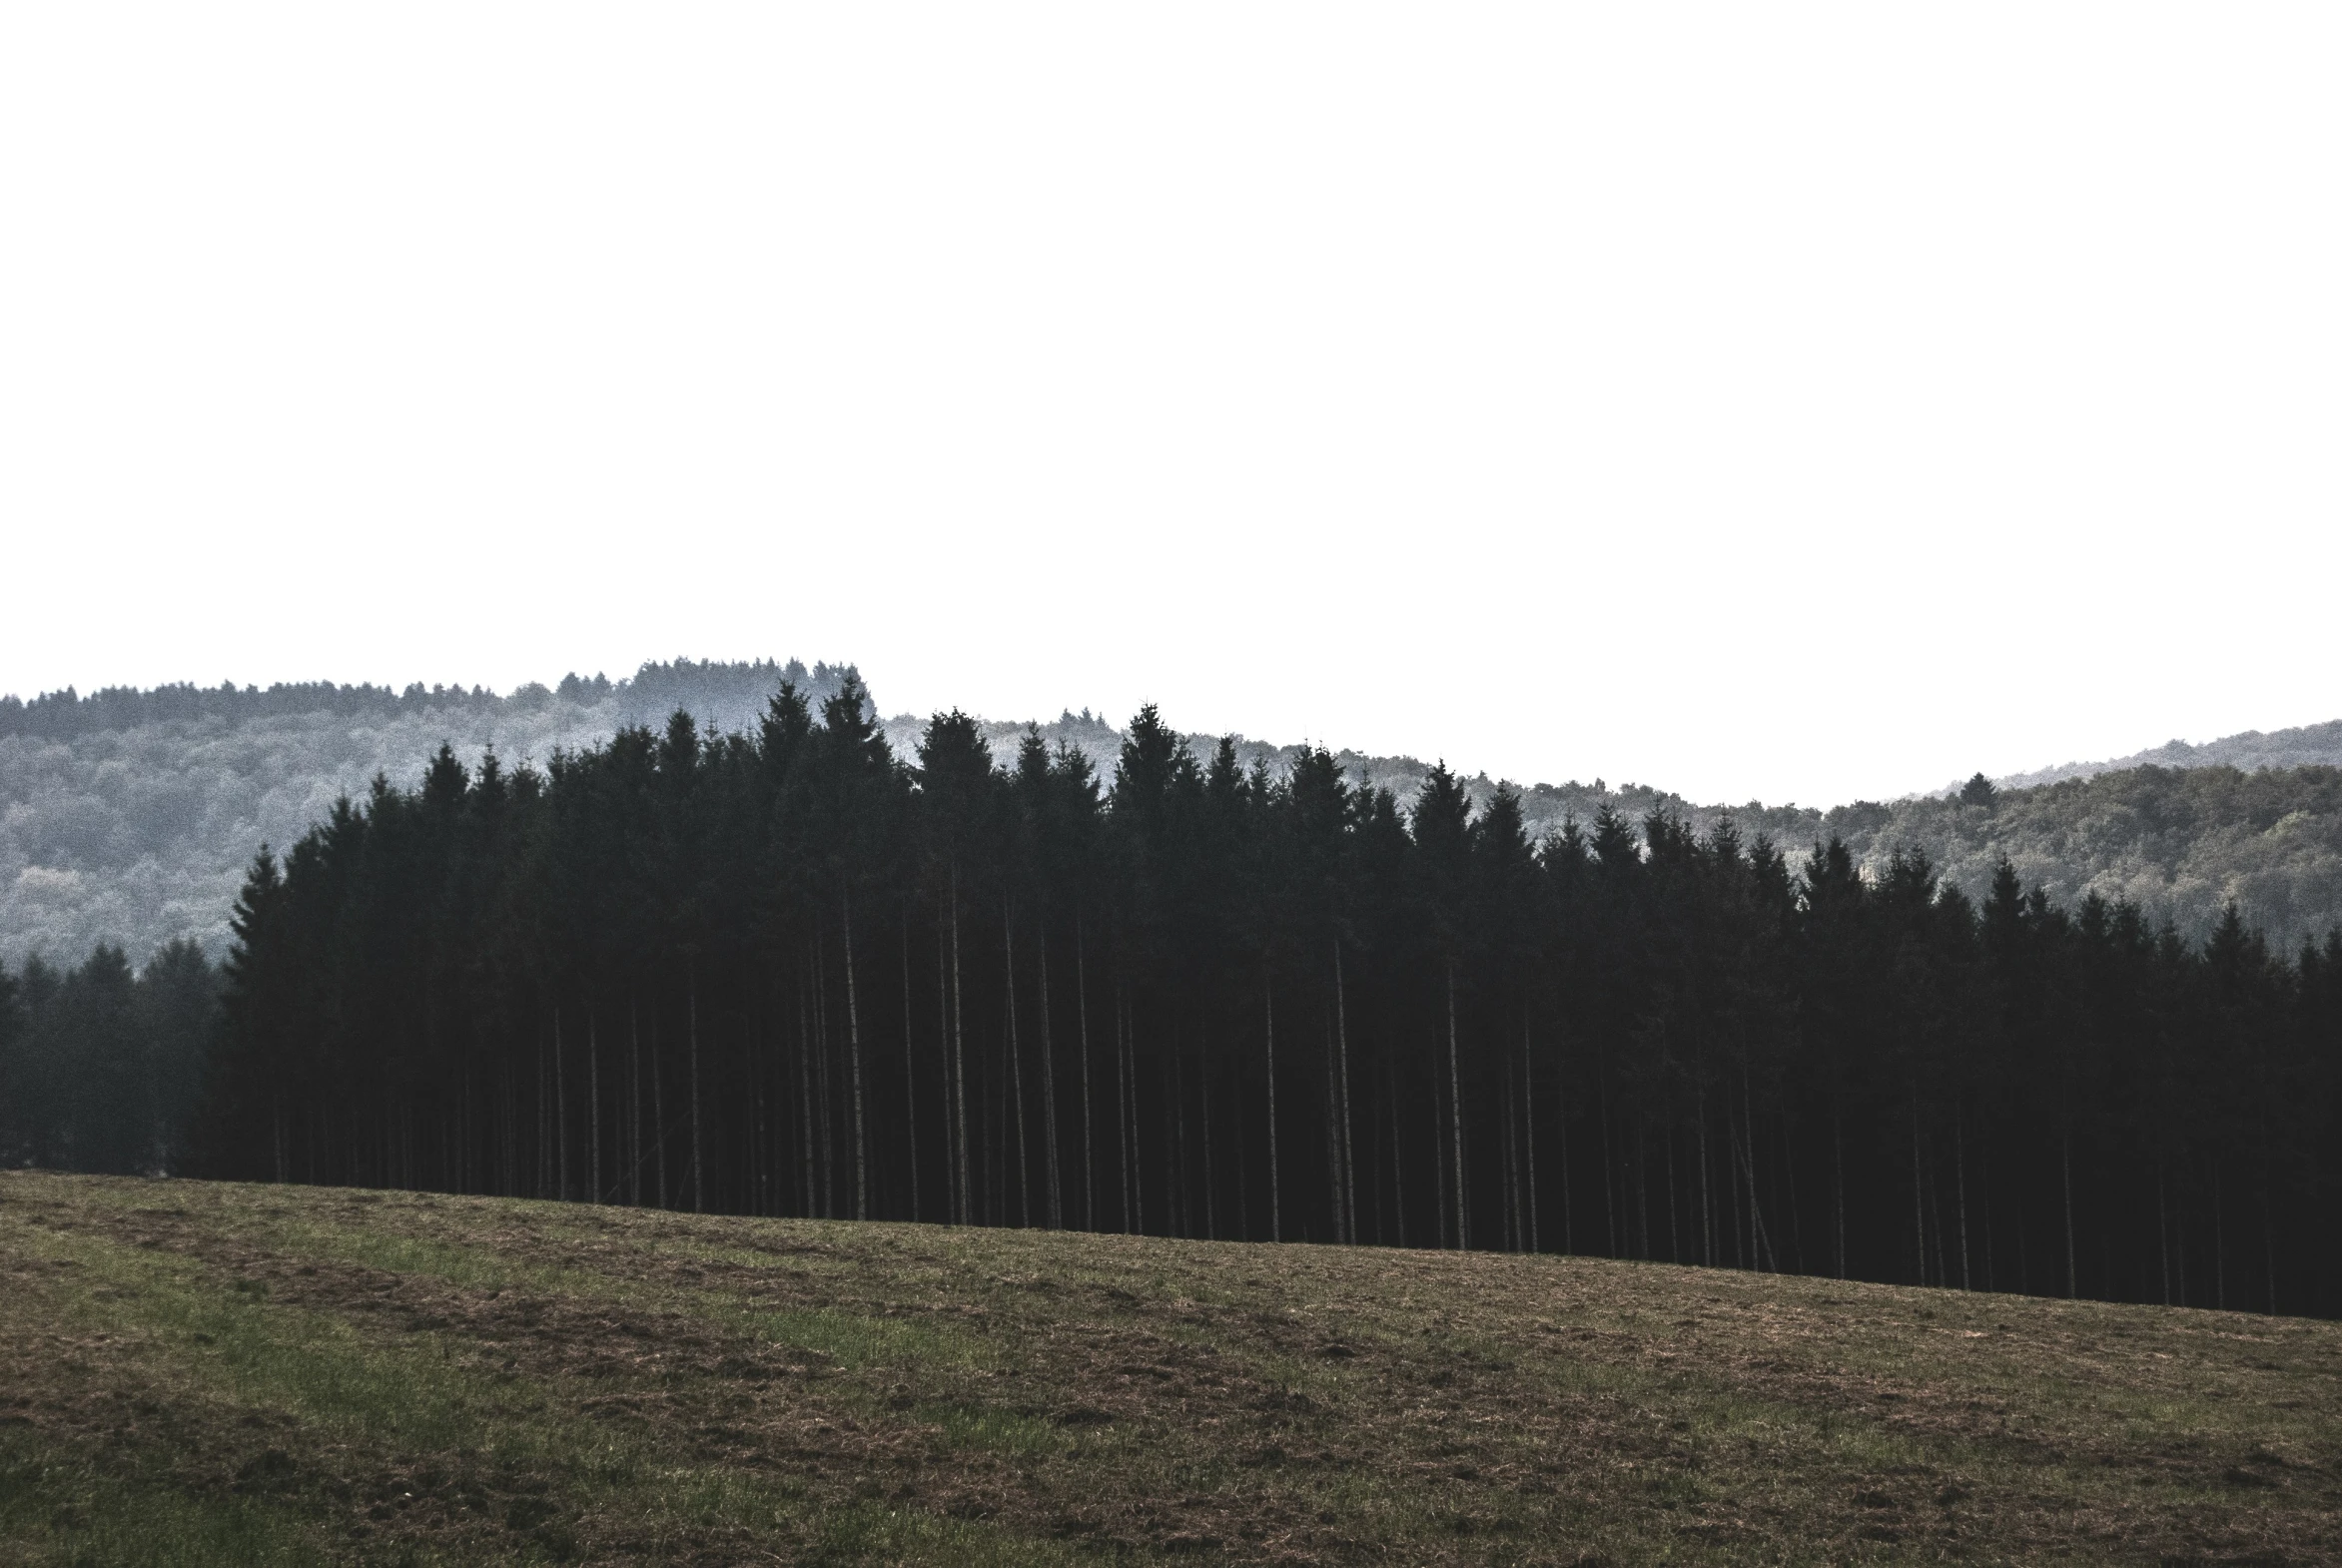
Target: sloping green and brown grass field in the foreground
x=278 y=1375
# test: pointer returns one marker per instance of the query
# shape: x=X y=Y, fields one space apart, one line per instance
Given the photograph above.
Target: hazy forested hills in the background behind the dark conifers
x=130 y=816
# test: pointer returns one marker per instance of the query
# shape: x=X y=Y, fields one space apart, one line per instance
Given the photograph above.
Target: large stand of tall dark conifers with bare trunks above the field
x=790 y=972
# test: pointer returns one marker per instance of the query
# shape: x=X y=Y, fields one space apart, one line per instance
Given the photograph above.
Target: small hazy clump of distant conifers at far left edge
x=102 y=1066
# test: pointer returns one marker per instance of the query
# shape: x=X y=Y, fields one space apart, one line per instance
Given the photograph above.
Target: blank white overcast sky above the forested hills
x=1788 y=404
